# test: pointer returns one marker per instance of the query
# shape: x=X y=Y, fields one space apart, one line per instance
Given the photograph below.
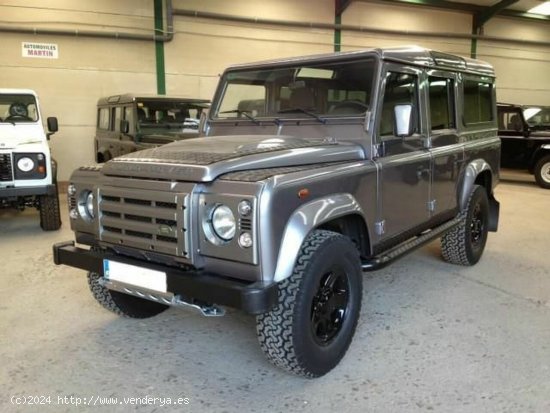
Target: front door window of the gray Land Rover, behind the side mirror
x=401 y=88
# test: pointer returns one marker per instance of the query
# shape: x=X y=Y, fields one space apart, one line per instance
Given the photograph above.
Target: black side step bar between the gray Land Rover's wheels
x=381 y=260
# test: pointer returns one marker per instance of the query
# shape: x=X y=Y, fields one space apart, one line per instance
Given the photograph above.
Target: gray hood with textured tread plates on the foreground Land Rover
x=205 y=159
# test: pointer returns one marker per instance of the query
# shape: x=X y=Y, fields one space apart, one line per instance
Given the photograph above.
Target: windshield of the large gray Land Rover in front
x=320 y=90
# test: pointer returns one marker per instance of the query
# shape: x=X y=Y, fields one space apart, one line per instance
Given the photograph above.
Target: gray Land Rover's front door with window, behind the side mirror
x=404 y=162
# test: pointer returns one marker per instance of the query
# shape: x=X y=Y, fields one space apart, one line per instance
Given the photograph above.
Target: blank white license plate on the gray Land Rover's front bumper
x=137 y=276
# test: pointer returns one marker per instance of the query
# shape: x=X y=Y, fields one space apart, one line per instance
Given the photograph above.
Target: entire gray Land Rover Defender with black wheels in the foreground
x=312 y=170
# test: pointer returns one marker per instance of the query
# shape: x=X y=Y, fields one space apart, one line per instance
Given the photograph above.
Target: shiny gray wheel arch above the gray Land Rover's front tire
x=339 y=213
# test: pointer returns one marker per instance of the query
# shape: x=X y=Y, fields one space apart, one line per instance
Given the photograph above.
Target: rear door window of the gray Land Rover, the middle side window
x=442 y=113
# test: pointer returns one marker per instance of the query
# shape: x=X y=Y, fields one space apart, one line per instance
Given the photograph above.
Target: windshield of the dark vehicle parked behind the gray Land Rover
x=178 y=116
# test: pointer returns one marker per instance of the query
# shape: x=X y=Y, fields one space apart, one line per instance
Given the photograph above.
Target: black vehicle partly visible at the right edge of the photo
x=525 y=137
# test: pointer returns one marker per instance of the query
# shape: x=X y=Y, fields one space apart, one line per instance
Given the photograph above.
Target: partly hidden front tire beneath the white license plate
x=122 y=304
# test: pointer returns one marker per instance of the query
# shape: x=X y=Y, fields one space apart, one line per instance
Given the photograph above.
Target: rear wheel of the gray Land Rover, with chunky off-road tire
x=464 y=244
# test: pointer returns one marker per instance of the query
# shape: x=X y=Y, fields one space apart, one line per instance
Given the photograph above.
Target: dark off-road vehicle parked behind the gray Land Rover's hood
x=127 y=123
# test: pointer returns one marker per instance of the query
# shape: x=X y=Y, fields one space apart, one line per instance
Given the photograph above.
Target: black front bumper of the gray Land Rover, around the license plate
x=254 y=298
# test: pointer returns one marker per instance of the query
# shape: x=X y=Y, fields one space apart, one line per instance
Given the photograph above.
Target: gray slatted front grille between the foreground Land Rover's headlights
x=147 y=220
